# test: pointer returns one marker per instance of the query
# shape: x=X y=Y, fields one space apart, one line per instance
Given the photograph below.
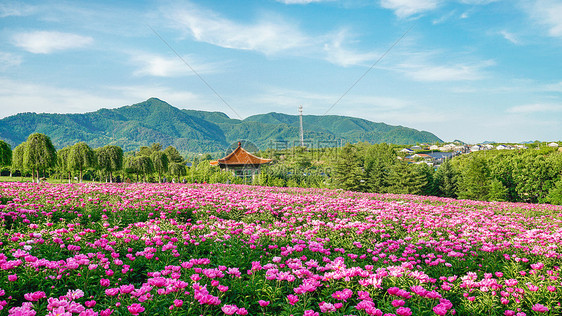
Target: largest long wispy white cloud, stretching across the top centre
x=269 y=35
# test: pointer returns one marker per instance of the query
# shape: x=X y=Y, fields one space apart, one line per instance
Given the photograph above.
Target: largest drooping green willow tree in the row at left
x=40 y=154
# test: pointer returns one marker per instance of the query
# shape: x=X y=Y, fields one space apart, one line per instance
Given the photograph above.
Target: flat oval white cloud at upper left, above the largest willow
x=45 y=42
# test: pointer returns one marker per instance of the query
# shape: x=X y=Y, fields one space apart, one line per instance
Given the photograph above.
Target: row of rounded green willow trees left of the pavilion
x=38 y=158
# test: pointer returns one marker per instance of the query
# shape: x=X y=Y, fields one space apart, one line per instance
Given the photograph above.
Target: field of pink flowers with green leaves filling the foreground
x=174 y=249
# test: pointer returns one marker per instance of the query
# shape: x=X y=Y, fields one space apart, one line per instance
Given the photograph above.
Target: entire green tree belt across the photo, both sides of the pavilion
x=531 y=175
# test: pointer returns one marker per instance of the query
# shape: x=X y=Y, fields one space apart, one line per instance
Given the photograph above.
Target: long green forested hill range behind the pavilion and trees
x=154 y=121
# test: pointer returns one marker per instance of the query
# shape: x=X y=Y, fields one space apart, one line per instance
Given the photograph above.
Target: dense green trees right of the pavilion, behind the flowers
x=525 y=175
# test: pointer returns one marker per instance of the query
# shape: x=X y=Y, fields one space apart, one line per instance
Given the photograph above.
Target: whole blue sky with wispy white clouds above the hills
x=473 y=70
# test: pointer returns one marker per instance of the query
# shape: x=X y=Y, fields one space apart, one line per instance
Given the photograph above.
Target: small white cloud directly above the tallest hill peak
x=158 y=66
